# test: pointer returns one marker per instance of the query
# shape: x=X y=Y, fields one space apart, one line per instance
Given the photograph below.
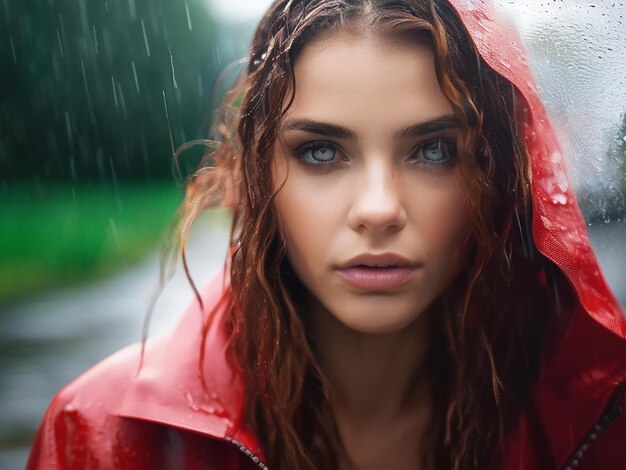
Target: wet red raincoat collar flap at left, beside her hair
x=185 y=381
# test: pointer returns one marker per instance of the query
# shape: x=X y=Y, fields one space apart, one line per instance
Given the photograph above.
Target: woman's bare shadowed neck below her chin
x=374 y=378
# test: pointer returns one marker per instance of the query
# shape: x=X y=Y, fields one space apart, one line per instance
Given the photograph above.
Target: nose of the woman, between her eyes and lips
x=378 y=206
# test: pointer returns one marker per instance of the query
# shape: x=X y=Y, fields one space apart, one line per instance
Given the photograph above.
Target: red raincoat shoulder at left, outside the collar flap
x=84 y=428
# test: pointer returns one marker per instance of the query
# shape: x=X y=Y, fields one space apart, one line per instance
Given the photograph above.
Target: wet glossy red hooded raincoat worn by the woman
x=119 y=415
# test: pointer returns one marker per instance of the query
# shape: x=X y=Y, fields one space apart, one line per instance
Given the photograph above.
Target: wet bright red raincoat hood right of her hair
x=559 y=229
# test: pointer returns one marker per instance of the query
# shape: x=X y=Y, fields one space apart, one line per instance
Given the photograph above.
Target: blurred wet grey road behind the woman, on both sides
x=50 y=340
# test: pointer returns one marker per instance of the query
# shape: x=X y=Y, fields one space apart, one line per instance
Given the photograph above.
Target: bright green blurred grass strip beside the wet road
x=55 y=237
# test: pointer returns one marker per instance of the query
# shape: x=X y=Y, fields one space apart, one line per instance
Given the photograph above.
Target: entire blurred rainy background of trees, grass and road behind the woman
x=94 y=96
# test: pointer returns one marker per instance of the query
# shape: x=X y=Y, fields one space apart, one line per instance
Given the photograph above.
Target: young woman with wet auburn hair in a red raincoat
x=410 y=283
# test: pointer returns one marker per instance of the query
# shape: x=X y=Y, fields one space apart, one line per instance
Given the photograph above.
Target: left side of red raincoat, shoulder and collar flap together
x=144 y=406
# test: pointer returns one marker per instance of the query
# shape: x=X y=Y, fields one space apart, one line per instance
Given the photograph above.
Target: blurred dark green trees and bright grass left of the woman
x=93 y=95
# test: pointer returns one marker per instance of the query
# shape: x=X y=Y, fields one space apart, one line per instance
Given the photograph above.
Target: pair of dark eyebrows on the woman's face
x=333 y=130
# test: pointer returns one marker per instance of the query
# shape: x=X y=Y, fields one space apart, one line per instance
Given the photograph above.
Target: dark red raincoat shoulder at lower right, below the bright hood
x=575 y=417
